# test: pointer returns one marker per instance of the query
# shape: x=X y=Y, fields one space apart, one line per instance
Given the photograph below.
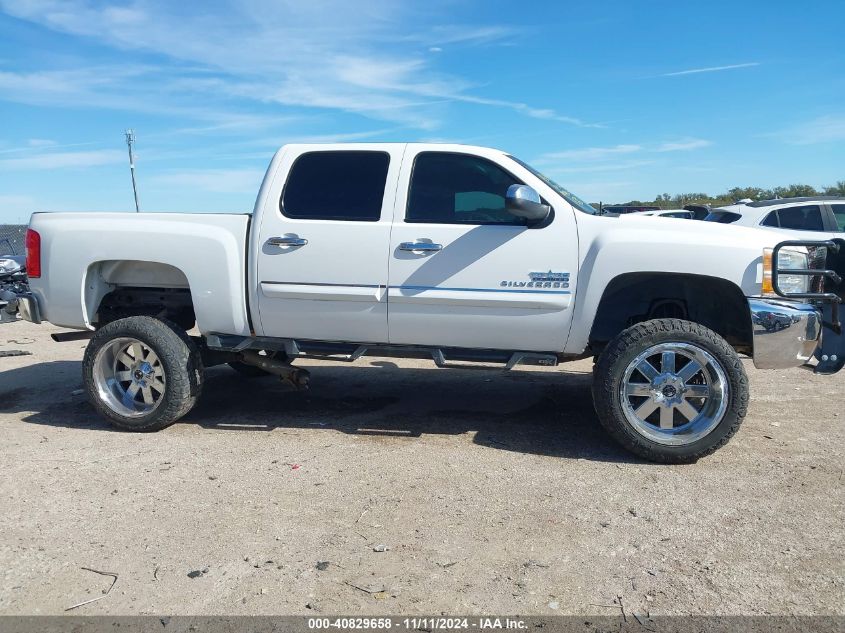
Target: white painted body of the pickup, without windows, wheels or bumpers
x=352 y=283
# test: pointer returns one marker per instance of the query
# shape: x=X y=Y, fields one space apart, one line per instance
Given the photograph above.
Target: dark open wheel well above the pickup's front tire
x=632 y=298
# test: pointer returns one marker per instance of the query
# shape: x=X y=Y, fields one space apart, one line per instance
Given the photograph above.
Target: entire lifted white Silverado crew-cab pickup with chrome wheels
x=457 y=253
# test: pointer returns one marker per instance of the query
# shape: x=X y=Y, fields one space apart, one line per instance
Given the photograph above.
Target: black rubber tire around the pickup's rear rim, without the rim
x=179 y=357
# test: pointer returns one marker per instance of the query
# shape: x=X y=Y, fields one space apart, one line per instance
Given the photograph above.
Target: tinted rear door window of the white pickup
x=336 y=186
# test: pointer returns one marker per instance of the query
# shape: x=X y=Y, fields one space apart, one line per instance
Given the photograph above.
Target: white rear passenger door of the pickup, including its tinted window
x=323 y=240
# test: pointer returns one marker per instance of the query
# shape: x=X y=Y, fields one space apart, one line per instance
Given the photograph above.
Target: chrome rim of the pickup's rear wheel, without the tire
x=129 y=377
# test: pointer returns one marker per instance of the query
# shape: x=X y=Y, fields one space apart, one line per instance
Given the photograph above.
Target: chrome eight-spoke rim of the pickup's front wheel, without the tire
x=674 y=393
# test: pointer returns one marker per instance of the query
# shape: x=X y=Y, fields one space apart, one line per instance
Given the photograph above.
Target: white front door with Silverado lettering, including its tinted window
x=466 y=273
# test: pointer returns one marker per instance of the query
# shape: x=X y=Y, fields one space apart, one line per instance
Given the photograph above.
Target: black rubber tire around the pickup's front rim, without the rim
x=622 y=350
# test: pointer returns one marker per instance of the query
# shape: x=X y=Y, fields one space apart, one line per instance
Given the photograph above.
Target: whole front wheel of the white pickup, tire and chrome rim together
x=670 y=390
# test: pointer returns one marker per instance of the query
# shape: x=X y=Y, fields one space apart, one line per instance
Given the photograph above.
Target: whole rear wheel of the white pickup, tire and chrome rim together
x=141 y=373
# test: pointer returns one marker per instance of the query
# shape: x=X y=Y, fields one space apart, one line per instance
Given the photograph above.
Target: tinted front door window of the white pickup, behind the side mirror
x=458 y=189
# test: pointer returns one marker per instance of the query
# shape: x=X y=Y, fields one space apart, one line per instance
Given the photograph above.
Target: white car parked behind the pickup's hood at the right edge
x=817 y=217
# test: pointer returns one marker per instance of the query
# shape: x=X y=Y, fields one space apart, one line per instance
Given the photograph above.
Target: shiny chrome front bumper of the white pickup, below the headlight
x=786 y=333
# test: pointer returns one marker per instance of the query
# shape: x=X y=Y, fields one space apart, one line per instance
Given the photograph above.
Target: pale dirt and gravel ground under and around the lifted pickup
x=491 y=492
